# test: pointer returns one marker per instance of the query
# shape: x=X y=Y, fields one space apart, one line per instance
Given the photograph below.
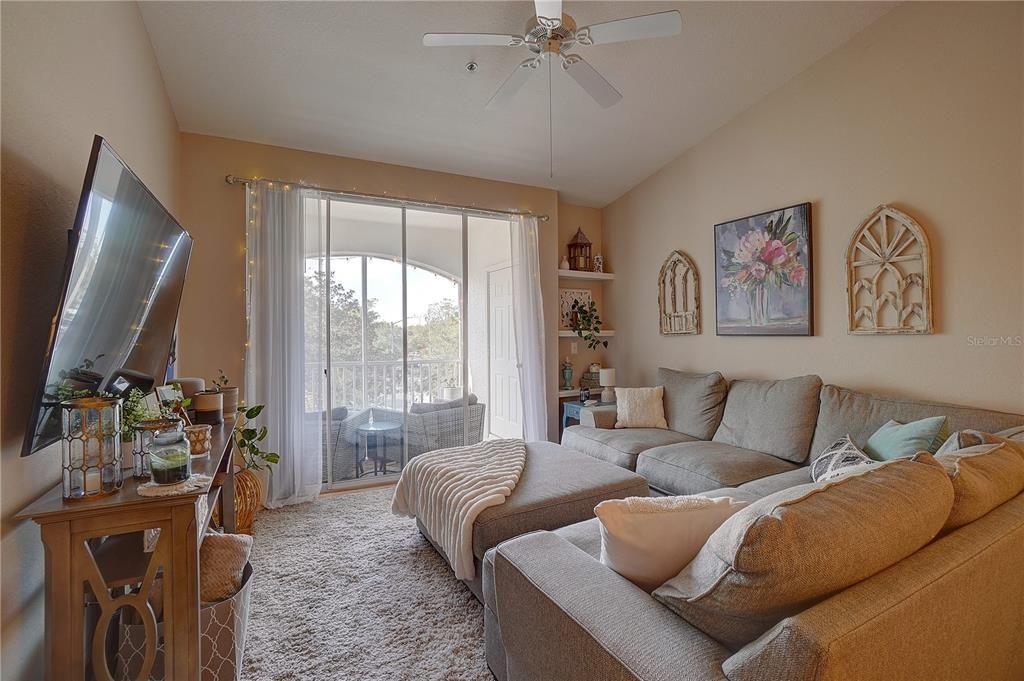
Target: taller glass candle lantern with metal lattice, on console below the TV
x=91 y=447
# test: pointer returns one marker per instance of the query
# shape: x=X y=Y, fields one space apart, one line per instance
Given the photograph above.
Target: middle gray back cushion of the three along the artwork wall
x=775 y=417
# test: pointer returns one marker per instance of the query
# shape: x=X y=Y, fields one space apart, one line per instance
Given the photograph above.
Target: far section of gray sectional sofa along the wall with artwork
x=756 y=436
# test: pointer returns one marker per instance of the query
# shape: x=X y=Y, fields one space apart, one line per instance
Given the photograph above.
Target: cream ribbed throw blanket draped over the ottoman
x=447 y=490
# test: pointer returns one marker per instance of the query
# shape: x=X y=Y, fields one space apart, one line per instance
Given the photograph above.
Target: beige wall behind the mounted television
x=70 y=71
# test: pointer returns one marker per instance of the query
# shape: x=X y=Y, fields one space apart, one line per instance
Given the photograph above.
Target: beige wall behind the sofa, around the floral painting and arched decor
x=923 y=111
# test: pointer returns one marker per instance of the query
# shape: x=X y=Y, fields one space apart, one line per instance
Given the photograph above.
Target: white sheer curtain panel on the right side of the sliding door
x=528 y=311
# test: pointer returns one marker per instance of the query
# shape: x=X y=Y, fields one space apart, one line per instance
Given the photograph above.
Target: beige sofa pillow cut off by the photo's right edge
x=984 y=477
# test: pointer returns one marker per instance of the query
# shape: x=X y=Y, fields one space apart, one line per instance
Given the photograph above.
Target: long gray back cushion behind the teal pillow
x=861 y=414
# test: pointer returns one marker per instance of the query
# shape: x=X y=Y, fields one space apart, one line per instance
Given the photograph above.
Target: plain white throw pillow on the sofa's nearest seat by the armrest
x=649 y=540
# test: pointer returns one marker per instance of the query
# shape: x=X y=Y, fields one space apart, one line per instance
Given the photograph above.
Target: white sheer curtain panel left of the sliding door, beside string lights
x=275 y=358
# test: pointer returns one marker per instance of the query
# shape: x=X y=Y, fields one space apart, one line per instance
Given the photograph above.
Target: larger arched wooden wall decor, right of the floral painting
x=889 y=273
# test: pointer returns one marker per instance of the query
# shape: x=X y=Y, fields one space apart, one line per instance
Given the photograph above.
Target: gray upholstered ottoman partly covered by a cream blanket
x=559 y=488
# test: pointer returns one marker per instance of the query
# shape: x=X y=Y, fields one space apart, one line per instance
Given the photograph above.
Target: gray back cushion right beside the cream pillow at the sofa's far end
x=694 y=403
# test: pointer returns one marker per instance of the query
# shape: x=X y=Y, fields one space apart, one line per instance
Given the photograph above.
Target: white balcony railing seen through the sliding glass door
x=359 y=387
